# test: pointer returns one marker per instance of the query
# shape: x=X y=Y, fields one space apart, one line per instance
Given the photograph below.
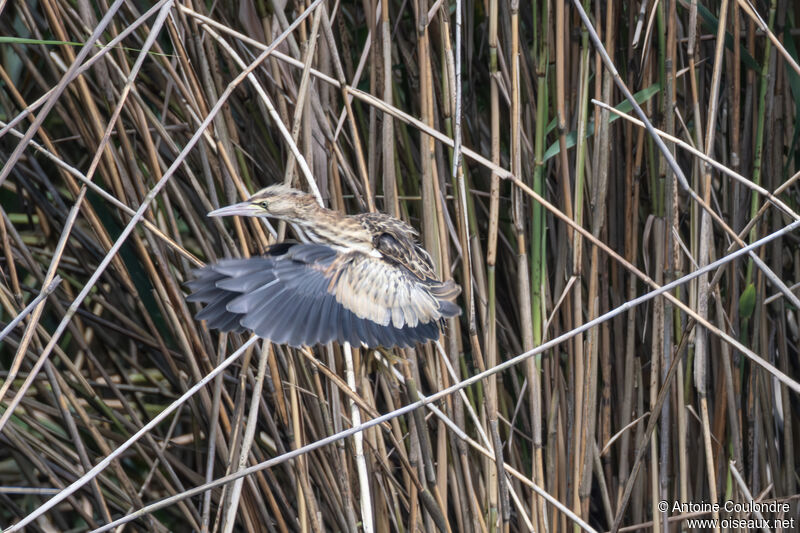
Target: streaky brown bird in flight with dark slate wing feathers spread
x=361 y=279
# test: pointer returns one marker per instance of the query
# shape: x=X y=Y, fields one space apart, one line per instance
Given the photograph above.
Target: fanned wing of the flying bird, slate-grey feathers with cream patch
x=305 y=294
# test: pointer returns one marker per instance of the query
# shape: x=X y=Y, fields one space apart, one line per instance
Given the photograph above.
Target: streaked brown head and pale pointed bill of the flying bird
x=276 y=201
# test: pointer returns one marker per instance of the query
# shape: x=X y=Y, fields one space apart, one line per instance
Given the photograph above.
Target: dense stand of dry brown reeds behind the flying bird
x=485 y=125
